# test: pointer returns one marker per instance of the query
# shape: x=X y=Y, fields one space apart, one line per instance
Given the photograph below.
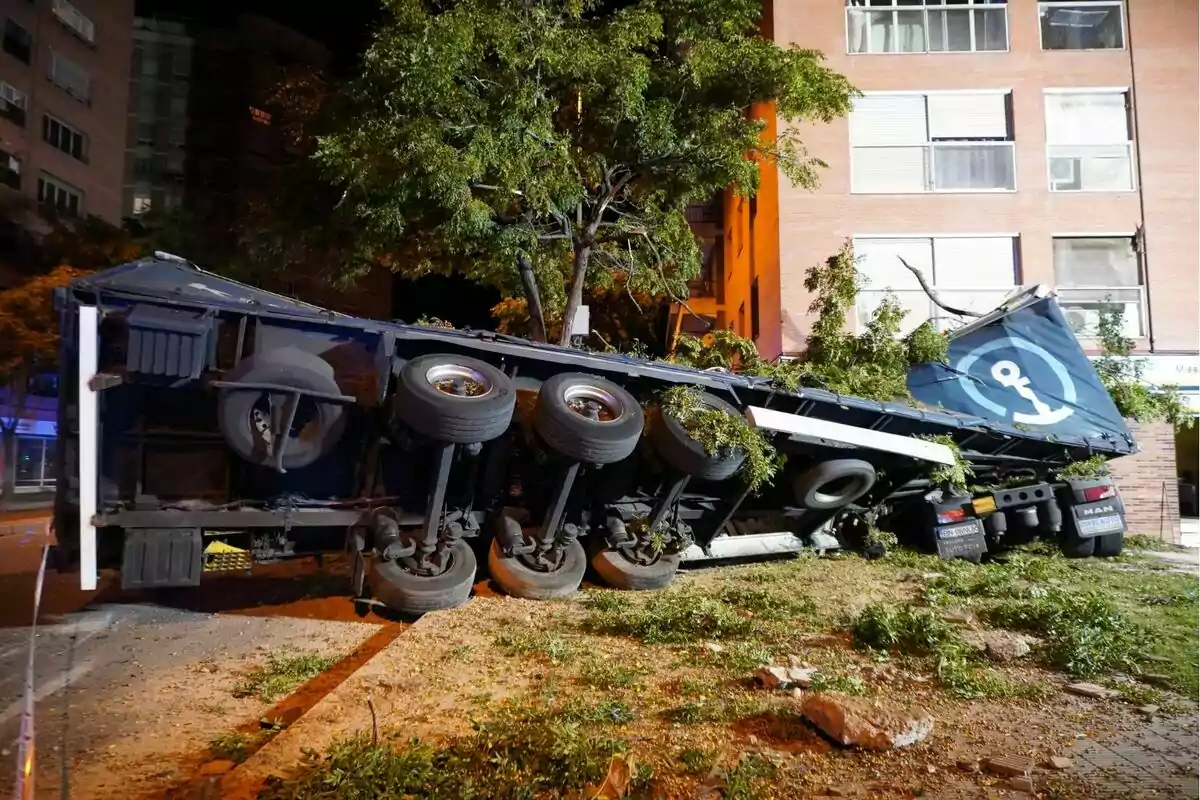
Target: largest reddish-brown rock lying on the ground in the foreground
x=856 y=723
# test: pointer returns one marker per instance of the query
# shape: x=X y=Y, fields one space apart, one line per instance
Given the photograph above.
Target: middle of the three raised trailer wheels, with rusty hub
x=589 y=419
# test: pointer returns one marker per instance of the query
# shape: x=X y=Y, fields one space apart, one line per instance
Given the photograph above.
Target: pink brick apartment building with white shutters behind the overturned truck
x=997 y=145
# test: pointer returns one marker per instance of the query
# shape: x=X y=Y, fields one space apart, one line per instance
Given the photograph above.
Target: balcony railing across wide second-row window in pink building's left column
x=937 y=167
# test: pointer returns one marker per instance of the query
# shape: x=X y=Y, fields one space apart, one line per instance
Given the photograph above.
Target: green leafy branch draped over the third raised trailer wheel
x=722 y=434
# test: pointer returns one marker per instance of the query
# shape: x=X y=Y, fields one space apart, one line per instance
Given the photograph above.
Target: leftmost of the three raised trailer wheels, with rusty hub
x=455 y=400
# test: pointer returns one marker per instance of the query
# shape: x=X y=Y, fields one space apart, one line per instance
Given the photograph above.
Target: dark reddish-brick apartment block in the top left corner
x=64 y=93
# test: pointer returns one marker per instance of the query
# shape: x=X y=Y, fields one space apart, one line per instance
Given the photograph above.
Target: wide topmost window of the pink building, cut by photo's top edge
x=931 y=27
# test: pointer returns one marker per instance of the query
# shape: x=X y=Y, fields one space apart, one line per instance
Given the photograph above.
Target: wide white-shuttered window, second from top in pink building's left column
x=952 y=142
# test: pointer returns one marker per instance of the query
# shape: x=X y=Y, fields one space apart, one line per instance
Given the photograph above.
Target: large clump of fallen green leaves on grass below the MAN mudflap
x=1087 y=634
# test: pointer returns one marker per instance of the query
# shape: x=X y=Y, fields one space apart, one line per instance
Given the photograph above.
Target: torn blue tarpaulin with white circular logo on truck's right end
x=1025 y=369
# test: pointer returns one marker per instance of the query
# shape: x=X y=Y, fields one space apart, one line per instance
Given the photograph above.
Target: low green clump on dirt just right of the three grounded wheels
x=673 y=617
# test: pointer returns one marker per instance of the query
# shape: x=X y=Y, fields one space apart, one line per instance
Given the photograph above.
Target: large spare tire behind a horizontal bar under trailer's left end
x=244 y=417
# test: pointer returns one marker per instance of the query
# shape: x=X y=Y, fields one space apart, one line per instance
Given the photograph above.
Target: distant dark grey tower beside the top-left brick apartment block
x=157 y=142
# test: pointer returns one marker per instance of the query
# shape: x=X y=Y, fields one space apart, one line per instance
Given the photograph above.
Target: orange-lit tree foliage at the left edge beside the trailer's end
x=29 y=346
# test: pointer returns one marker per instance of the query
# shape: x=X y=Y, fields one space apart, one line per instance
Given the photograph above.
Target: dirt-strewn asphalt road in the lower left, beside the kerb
x=131 y=688
